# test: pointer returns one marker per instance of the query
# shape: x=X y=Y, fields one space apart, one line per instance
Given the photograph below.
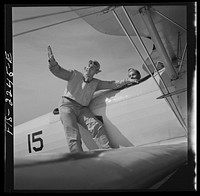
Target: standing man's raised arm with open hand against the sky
x=56 y=69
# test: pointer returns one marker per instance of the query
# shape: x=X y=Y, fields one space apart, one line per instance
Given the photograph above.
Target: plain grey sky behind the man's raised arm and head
x=36 y=90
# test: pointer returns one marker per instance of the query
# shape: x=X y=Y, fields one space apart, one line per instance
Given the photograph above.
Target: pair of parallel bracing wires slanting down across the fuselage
x=179 y=117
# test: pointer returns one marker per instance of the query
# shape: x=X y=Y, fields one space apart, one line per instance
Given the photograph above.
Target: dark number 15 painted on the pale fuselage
x=36 y=140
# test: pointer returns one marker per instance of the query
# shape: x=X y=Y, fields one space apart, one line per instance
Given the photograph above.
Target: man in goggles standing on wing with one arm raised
x=77 y=95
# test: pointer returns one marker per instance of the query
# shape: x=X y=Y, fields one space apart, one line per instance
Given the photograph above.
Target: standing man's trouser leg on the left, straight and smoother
x=71 y=129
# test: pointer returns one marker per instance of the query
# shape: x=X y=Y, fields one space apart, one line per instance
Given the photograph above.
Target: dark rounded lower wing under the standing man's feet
x=138 y=167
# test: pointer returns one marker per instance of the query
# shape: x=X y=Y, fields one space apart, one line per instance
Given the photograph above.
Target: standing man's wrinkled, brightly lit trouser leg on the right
x=88 y=120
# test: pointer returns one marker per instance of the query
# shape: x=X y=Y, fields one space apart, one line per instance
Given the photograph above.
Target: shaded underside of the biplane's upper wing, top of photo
x=104 y=21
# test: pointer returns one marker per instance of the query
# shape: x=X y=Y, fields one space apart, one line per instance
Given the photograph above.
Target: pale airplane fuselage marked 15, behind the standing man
x=132 y=116
